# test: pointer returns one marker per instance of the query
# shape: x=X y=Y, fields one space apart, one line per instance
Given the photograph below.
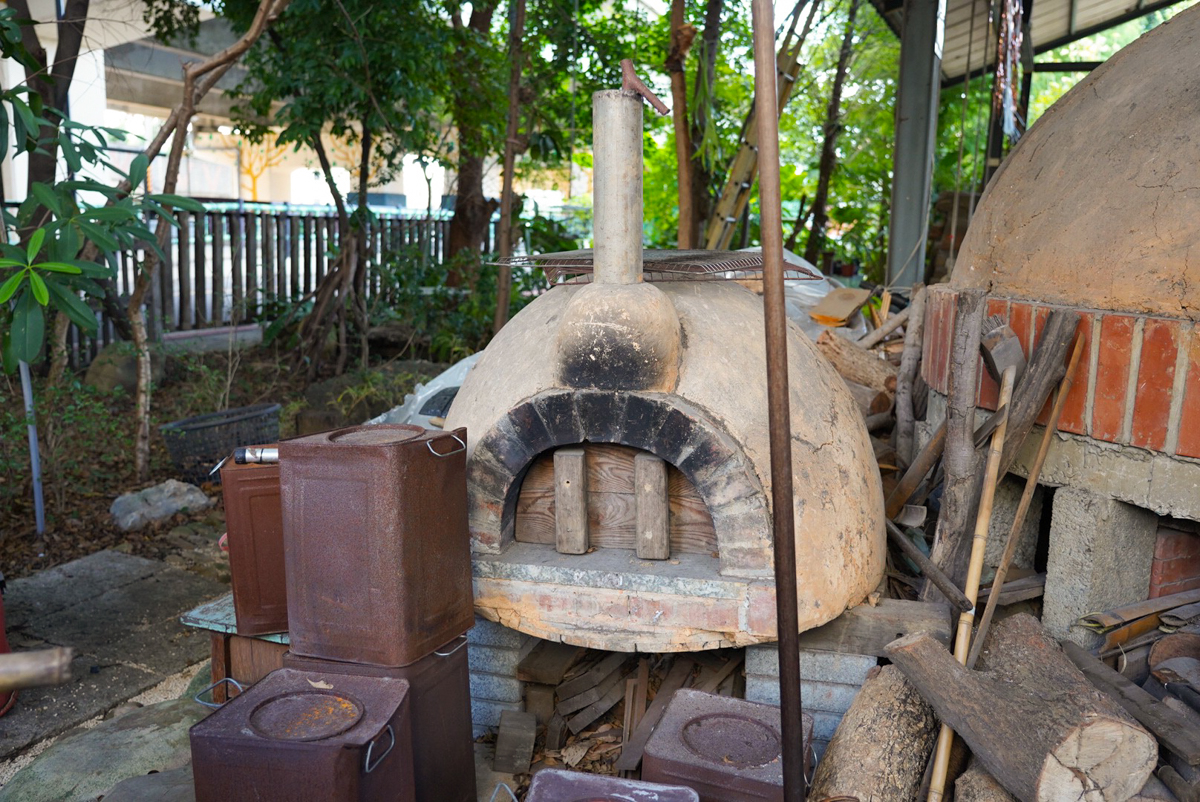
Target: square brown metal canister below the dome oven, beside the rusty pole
x=727 y=750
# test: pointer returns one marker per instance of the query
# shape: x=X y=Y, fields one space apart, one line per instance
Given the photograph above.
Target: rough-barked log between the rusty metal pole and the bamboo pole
x=883 y=745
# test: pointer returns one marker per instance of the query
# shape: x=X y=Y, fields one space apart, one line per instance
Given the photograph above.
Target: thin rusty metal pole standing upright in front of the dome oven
x=779 y=414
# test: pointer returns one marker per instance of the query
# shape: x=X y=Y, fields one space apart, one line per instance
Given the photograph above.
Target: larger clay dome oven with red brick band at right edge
x=1099 y=210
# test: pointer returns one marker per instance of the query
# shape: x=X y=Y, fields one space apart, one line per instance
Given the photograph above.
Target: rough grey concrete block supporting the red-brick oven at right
x=1101 y=554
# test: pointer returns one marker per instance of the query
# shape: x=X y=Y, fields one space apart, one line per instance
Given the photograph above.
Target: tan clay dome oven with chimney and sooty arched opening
x=619 y=474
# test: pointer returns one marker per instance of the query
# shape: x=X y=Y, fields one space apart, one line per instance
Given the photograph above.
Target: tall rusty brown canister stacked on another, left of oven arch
x=377 y=550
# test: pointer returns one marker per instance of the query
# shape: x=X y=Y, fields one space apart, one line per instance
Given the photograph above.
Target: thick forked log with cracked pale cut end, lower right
x=1033 y=720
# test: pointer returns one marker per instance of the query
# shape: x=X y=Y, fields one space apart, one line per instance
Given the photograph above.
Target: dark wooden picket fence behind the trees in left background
x=224 y=265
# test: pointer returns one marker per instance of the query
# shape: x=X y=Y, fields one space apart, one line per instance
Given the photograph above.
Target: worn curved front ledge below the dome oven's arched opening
x=610 y=602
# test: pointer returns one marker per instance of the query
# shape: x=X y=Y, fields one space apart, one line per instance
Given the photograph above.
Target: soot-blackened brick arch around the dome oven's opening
x=664 y=426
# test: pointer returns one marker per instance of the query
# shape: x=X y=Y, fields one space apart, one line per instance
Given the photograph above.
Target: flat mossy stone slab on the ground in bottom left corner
x=86 y=765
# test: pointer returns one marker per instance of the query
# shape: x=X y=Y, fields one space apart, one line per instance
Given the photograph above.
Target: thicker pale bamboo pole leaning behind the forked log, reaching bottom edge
x=979 y=547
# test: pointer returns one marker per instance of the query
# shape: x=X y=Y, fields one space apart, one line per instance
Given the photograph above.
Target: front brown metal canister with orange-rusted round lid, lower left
x=302 y=738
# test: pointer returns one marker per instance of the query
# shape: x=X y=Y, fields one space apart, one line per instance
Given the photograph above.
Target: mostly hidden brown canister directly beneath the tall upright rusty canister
x=440 y=708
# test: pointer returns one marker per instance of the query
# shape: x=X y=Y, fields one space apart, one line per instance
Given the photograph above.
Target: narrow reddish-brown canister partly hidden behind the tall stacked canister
x=255 y=525
